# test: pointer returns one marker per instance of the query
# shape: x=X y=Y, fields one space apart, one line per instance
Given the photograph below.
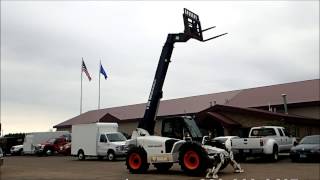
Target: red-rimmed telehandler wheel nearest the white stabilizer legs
x=193 y=159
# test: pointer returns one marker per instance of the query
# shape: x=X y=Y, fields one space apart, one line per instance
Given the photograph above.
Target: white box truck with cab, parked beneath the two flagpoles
x=97 y=140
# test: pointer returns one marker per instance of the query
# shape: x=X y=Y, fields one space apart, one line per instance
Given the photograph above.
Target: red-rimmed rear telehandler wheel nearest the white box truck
x=136 y=160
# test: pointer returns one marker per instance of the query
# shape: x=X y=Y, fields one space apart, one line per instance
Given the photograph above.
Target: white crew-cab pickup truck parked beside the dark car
x=264 y=140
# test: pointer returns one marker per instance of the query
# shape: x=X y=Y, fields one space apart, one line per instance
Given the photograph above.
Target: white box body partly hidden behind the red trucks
x=32 y=140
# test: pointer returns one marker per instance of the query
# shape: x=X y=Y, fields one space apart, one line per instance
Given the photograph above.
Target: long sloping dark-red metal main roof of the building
x=297 y=92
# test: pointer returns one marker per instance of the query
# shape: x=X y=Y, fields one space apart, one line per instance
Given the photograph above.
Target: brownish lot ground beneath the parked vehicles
x=64 y=168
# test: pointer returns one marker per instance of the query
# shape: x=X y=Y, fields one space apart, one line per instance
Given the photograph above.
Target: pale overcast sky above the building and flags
x=42 y=43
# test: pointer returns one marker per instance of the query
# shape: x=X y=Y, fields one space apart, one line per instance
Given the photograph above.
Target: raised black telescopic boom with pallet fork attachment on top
x=192 y=29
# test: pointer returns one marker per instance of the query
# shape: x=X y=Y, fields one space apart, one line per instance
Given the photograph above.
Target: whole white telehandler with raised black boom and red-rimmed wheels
x=181 y=141
